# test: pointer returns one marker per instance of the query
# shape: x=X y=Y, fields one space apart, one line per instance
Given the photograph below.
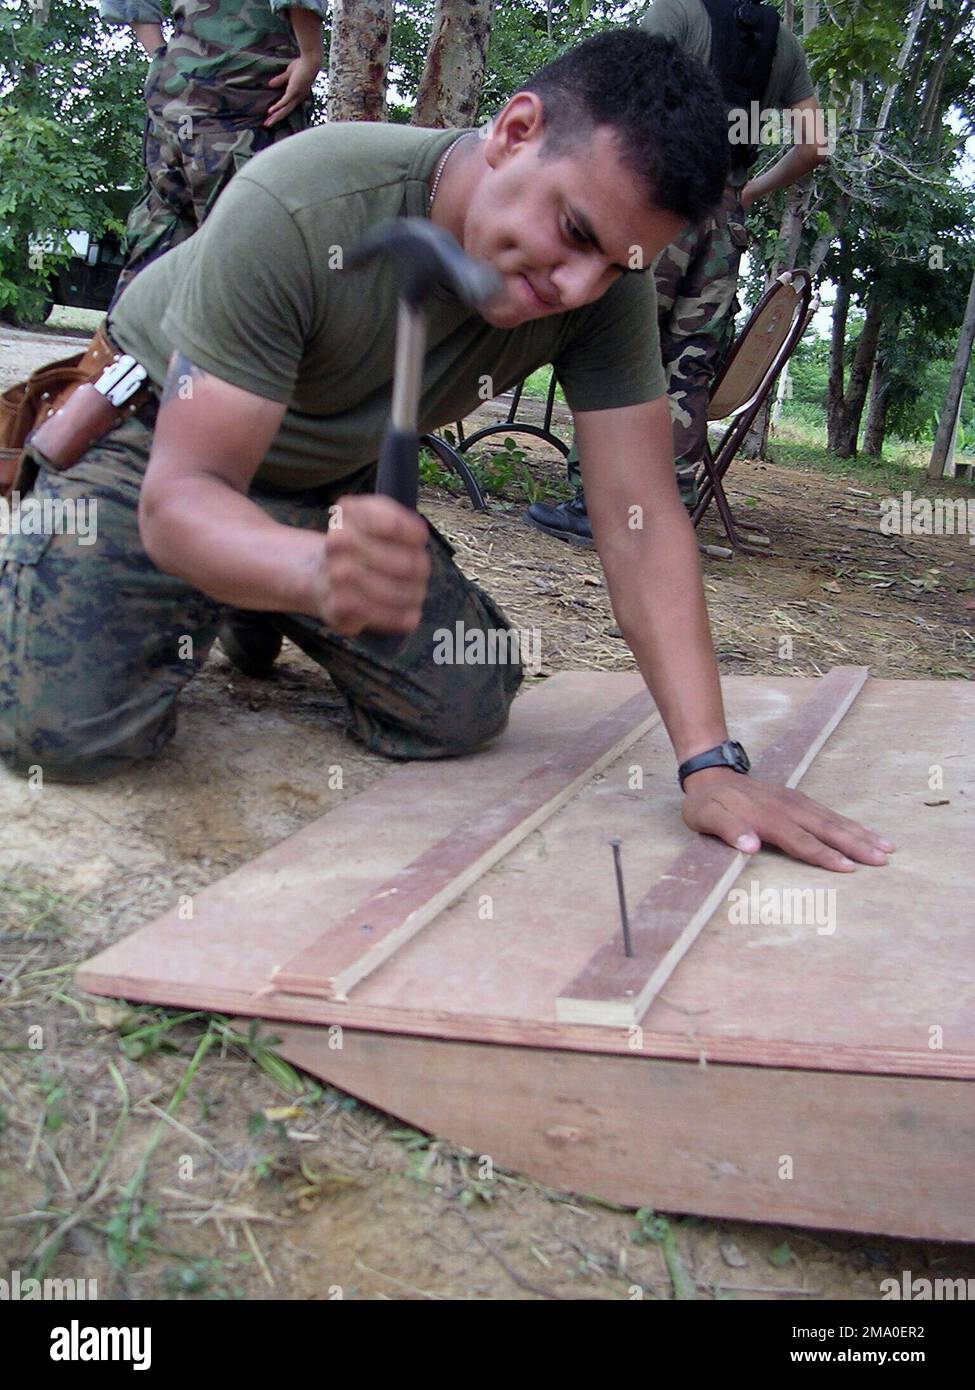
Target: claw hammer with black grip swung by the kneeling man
x=425 y=256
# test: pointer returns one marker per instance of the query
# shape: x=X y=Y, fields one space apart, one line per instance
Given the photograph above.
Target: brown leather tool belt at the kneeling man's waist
x=62 y=409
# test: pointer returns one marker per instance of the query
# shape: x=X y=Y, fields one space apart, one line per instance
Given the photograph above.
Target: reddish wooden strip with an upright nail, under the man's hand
x=615 y=990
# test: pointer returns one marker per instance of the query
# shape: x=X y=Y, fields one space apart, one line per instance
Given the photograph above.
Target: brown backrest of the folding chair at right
x=764 y=345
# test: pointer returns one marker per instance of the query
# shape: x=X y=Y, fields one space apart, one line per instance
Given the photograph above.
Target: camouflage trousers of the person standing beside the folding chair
x=696 y=281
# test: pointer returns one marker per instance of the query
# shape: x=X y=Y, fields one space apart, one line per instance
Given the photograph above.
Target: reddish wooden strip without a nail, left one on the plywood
x=412 y=897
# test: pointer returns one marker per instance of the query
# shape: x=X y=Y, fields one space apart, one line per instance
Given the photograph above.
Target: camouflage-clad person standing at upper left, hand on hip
x=234 y=77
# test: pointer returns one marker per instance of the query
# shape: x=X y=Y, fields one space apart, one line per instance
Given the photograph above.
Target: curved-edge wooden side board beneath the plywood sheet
x=892 y=1156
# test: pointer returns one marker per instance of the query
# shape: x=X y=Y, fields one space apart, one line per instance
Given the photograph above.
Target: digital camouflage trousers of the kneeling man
x=97 y=643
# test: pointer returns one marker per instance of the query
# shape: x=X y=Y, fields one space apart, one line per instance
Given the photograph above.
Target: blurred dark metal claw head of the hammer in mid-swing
x=428 y=256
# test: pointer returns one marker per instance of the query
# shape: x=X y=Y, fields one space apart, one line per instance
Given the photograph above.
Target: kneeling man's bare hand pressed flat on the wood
x=745 y=814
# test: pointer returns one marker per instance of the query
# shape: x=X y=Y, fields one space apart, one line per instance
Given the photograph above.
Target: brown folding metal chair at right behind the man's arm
x=745 y=382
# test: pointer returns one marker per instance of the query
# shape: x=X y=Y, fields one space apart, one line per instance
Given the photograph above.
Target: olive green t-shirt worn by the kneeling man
x=261 y=298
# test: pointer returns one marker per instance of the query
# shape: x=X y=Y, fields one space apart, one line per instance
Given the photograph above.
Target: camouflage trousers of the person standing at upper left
x=190 y=162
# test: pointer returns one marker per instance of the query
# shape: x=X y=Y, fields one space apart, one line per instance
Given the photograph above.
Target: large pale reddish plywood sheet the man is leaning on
x=887 y=988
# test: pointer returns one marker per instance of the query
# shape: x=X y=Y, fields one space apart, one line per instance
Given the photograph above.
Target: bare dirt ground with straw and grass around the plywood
x=169 y=1157
